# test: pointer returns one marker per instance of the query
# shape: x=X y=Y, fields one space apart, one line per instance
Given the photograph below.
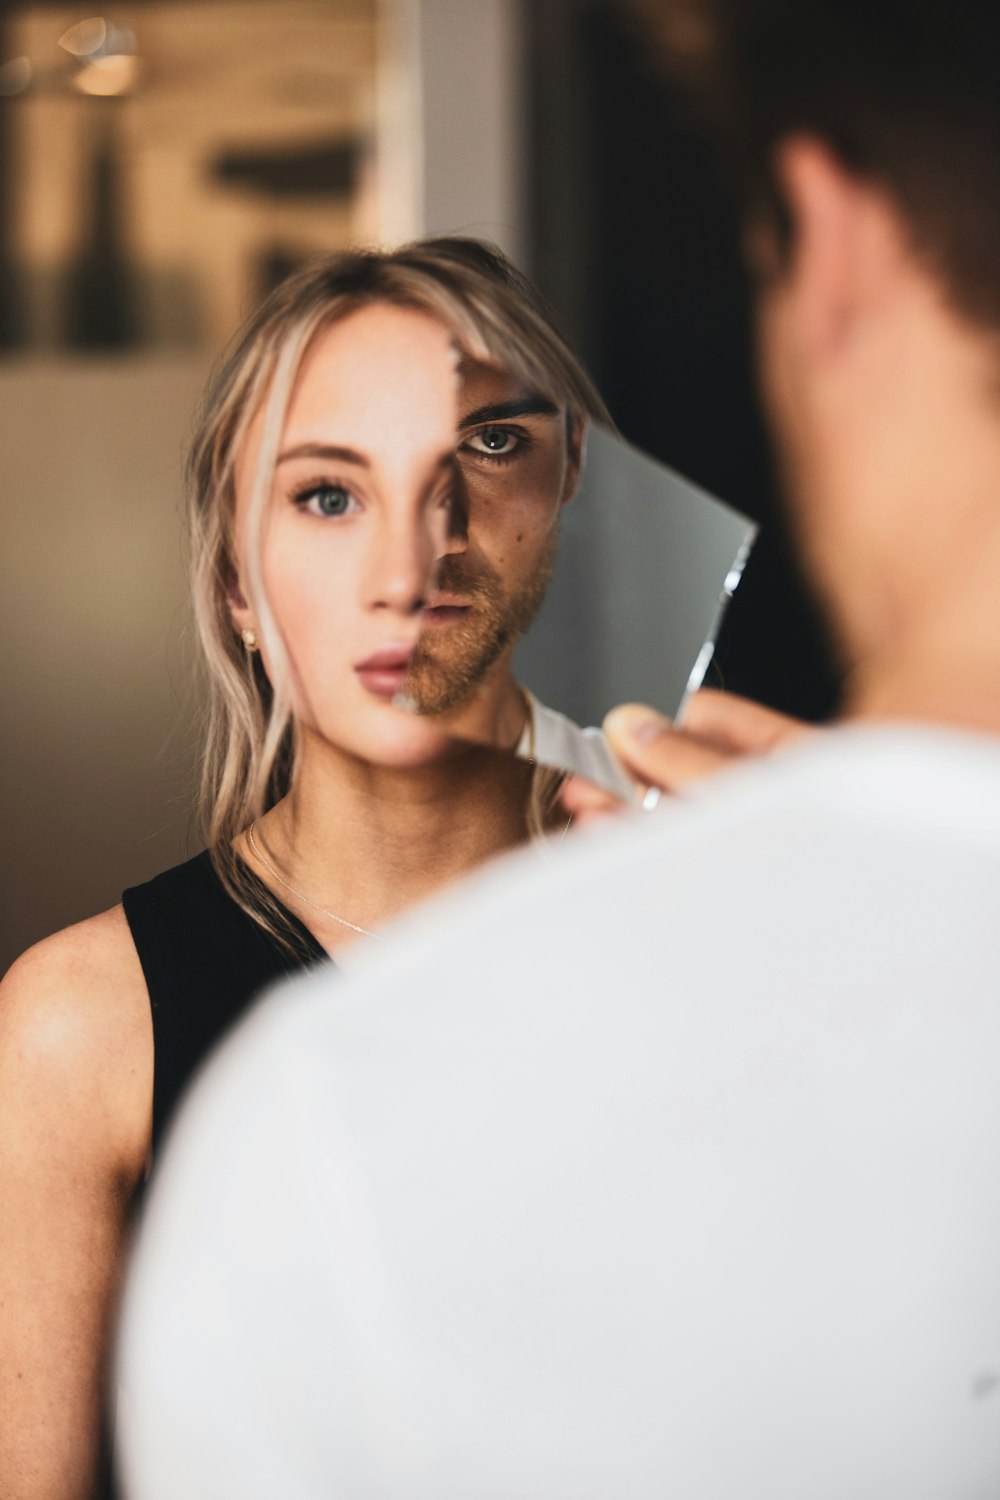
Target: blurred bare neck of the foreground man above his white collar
x=906 y=502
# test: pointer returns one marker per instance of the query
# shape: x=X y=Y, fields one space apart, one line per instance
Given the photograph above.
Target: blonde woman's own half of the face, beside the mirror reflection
x=356 y=523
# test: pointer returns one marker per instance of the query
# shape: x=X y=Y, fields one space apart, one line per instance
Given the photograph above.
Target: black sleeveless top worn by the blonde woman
x=205 y=962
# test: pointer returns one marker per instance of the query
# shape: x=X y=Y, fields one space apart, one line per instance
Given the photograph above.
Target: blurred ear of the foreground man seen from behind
x=833 y=215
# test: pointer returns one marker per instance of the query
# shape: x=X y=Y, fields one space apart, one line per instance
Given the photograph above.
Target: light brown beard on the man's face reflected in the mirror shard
x=454 y=659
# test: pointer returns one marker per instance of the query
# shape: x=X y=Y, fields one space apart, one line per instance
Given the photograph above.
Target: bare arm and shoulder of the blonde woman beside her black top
x=76 y=1099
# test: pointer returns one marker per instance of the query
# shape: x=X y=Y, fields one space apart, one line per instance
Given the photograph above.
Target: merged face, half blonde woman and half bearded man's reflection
x=374 y=587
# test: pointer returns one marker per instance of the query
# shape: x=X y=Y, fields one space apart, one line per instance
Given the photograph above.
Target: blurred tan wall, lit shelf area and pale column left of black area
x=161 y=166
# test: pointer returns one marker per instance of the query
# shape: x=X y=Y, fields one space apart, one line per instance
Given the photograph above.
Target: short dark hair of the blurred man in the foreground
x=905 y=92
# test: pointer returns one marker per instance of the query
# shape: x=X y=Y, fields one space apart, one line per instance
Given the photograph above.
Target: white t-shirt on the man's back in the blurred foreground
x=666 y=1168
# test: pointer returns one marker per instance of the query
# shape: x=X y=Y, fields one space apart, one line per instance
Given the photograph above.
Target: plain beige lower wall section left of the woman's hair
x=95 y=668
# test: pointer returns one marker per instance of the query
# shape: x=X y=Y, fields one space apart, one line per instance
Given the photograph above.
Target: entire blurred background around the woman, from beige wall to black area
x=161 y=166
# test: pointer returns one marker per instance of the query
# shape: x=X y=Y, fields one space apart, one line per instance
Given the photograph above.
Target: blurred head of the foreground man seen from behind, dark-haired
x=864 y=137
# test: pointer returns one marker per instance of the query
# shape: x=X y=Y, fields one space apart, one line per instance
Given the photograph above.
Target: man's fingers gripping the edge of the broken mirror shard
x=719 y=730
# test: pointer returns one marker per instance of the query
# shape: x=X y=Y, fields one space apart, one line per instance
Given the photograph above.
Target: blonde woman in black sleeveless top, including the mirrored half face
x=326 y=491
